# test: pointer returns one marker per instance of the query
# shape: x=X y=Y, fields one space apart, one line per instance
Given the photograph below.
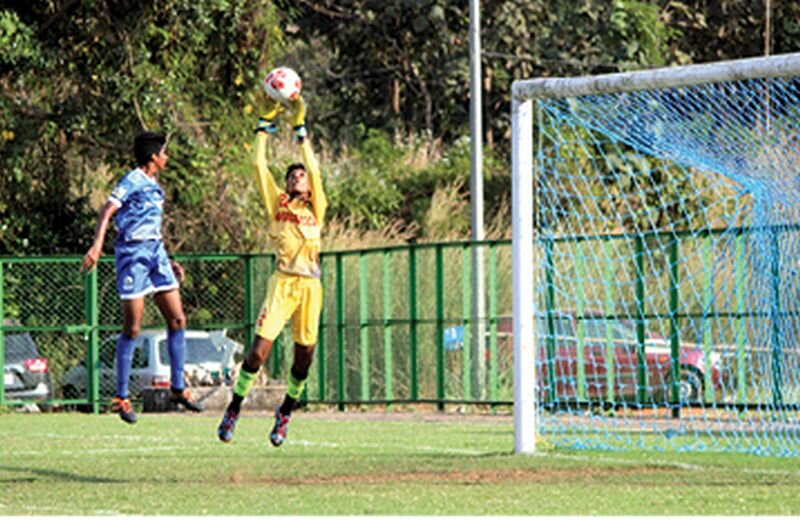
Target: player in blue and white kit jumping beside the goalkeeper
x=143 y=268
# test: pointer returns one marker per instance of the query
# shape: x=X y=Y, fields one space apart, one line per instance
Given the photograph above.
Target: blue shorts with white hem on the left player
x=143 y=268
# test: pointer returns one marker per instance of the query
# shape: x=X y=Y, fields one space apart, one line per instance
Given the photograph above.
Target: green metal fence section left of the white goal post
x=381 y=332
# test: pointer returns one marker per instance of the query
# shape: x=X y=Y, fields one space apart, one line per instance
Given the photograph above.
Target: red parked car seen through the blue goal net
x=562 y=356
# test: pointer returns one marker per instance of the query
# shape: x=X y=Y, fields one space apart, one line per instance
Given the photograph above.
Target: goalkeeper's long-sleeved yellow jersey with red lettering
x=295 y=225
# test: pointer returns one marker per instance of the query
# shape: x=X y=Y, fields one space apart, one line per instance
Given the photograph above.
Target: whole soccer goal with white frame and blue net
x=654 y=244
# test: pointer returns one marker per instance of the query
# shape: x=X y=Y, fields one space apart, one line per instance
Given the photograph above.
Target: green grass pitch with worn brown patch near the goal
x=360 y=464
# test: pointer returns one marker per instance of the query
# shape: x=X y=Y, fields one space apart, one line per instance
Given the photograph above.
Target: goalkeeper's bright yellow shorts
x=295 y=297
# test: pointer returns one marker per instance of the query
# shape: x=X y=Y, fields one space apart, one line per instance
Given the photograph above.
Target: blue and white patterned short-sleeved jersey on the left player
x=141 y=202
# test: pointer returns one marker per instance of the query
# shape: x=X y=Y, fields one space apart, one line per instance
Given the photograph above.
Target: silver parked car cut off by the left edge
x=26 y=375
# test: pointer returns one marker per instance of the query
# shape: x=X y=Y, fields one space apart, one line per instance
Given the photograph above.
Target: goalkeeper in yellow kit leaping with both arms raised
x=294 y=290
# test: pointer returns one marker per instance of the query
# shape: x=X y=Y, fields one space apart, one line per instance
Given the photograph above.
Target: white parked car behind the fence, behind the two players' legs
x=209 y=360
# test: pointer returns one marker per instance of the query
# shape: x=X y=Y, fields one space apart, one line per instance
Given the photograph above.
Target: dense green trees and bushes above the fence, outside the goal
x=387 y=84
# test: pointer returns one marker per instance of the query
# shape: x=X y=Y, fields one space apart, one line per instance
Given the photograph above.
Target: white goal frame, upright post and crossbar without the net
x=524 y=260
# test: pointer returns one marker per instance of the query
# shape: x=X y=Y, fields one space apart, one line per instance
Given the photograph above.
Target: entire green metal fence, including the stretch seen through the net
x=386 y=330
